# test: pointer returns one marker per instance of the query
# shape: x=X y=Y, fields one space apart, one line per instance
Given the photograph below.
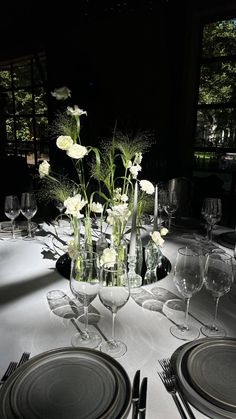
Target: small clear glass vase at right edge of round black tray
x=153 y=256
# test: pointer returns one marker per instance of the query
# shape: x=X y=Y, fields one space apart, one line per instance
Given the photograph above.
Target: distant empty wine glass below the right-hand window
x=212 y=213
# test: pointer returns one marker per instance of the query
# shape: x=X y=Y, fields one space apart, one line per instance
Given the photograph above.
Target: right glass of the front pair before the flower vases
x=114 y=294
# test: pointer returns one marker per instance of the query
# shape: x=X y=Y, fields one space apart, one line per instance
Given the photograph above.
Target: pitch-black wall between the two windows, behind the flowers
x=131 y=63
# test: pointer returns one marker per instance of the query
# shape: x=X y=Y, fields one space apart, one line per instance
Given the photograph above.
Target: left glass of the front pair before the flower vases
x=84 y=285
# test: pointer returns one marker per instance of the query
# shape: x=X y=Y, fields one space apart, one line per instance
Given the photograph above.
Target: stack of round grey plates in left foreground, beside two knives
x=67 y=383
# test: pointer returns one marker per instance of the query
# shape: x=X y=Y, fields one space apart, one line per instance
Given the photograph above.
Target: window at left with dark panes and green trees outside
x=23 y=108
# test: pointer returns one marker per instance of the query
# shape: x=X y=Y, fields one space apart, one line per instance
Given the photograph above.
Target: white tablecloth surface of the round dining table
x=28 y=272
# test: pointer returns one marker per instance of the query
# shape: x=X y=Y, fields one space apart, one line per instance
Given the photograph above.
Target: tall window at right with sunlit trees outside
x=215 y=140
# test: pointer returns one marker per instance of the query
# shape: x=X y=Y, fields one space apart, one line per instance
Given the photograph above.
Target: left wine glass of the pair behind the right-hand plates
x=188 y=279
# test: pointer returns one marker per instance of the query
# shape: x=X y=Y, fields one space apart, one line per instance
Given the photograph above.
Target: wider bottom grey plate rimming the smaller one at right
x=183 y=373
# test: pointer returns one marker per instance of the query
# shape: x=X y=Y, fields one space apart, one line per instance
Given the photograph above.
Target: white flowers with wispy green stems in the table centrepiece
x=114 y=167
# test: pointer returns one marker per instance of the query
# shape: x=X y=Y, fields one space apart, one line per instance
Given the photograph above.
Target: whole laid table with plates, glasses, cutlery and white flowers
x=108 y=336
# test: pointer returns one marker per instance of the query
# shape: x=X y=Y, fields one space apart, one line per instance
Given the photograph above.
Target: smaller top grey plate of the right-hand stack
x=212 y=371
